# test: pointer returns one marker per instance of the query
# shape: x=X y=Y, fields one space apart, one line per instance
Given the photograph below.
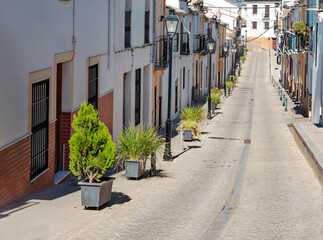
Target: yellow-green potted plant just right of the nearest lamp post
x=190 y=119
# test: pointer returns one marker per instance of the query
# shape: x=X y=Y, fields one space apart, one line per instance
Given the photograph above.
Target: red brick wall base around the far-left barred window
x=15 y=170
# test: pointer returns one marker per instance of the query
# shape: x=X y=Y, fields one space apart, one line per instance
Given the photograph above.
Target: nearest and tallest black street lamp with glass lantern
x=171 y=28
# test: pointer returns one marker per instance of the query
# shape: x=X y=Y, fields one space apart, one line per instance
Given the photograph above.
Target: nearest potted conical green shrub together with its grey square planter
x=92 y=154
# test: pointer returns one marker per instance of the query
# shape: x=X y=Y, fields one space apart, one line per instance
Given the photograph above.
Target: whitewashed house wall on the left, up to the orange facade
x=33 y=31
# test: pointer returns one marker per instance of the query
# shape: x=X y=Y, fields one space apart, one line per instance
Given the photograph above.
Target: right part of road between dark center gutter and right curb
x=275 y=194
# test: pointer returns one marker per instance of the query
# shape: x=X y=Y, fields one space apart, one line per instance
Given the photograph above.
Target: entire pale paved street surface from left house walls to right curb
x=244 y=179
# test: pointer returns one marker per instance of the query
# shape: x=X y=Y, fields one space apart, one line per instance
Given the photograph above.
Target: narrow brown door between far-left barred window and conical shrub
x=58 y=163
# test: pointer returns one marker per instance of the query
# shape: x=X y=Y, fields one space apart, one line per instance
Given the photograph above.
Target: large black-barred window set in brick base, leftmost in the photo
x=39 y=128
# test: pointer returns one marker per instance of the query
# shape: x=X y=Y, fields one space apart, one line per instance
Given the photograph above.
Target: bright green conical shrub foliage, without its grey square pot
x=92 y=151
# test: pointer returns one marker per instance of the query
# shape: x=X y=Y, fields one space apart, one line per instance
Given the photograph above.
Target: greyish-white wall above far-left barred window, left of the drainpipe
x=31 y=33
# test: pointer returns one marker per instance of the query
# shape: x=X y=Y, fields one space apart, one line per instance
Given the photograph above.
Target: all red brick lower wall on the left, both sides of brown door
x=15 y=159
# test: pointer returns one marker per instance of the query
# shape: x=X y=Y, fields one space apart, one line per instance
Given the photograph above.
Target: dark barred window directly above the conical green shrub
x=93 y=86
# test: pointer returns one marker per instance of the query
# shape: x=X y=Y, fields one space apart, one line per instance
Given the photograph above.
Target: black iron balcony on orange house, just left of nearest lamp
x=161 y=52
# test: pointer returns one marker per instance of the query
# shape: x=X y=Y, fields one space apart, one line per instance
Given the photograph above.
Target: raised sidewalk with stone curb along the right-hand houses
x=308 y=136
